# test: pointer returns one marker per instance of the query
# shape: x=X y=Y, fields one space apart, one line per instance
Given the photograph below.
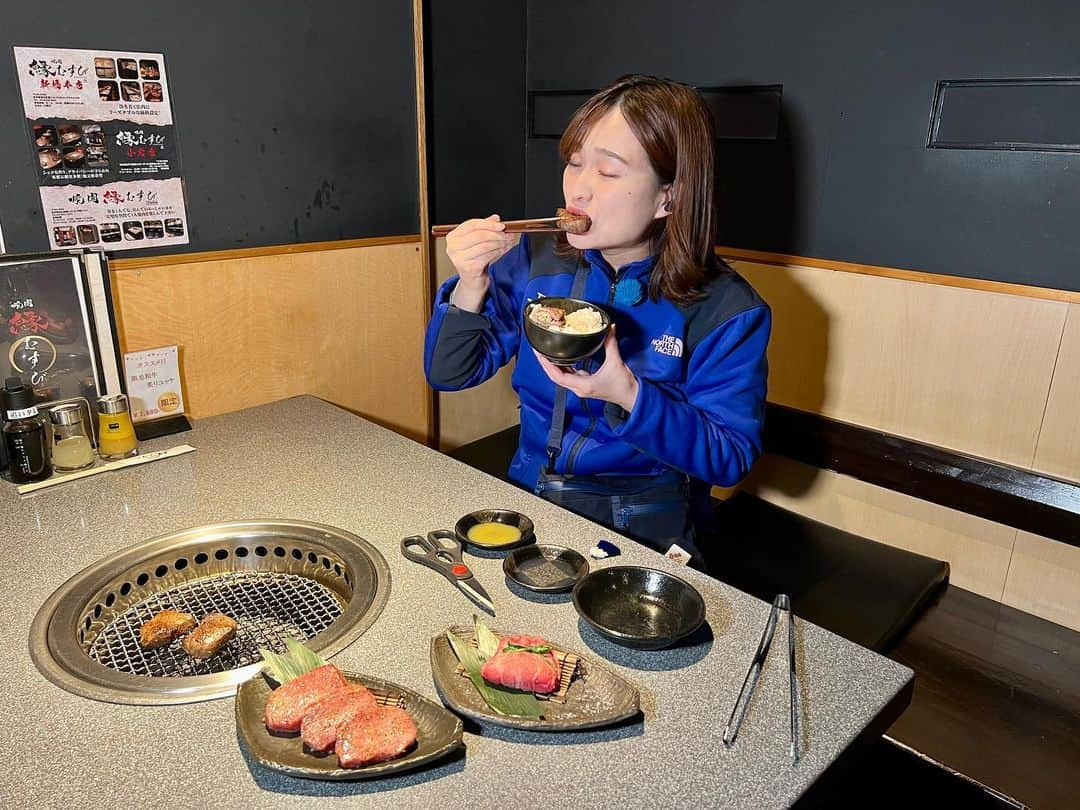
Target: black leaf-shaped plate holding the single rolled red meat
x=597 y=697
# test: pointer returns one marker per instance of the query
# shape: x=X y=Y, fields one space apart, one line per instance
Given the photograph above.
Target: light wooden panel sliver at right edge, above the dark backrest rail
x=1059 y=451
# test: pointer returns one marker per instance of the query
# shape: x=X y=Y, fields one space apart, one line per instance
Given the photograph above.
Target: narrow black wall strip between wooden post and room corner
x=476 y=87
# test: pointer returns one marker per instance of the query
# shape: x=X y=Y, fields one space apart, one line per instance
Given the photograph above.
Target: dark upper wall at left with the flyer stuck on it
x=296 y=121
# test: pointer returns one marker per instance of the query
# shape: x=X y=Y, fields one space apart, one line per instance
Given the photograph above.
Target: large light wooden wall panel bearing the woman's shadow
x=963 y=369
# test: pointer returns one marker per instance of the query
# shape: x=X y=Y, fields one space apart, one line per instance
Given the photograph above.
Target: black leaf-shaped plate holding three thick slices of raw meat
x=439 y=733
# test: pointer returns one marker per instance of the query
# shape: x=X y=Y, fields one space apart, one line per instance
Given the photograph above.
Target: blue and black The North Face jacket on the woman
x=701 y=368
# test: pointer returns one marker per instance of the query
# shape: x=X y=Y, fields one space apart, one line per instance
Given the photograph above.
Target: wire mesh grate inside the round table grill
x=267 y=606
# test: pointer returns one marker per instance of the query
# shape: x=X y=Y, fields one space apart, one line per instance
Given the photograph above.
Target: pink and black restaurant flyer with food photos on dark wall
x=101 y=126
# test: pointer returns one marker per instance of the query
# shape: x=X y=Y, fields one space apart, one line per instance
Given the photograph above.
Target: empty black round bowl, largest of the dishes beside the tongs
x=640 y=607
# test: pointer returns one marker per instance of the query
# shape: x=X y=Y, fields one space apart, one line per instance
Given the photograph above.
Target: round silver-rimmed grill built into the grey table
x=316 y=584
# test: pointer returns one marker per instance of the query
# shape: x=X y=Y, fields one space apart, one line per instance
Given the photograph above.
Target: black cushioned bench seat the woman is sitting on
x=862 y=590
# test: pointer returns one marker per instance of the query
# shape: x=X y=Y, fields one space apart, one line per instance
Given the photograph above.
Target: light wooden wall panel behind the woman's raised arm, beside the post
x=465 y=416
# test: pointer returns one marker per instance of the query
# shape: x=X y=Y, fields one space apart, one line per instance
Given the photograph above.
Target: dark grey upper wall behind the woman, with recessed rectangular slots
x=849 y=177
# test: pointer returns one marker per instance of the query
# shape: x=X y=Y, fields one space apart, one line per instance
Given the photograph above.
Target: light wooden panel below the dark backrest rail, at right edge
x=1045 y=579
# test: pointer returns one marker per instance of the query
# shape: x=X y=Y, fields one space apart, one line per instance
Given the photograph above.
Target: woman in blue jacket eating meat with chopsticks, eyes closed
x=676 y=401
